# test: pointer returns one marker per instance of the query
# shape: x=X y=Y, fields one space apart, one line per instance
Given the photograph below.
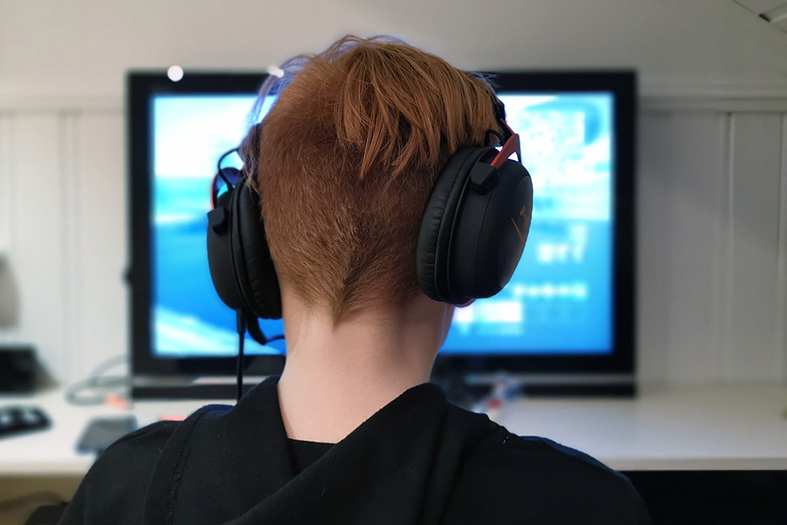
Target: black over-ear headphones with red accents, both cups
x=473 y=229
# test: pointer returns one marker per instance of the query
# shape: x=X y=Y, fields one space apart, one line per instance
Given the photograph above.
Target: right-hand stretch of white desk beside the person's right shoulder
x=687 y=428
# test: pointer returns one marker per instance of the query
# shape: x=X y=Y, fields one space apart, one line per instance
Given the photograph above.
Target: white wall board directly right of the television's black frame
x=681 y=180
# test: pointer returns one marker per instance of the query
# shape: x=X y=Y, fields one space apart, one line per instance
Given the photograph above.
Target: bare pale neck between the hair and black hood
x=336 y=377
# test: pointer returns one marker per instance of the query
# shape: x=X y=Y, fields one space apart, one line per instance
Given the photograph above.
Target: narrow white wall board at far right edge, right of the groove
x=755 y=166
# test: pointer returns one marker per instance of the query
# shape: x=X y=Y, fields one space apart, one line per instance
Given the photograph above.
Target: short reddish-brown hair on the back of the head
x=348 y=156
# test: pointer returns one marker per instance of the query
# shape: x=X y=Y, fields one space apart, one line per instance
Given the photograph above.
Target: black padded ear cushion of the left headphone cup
x=254 y=269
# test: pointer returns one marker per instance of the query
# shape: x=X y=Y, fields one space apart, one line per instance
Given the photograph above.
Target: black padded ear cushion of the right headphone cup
x=434 y=235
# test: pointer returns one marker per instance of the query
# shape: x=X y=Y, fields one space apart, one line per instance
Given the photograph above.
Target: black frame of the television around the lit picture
x=143 y=85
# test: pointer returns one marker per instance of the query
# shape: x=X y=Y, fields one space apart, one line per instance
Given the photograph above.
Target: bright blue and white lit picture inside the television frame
x=559 y=300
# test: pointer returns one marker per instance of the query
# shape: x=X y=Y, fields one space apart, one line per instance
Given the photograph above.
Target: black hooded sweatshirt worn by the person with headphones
x=419 y=460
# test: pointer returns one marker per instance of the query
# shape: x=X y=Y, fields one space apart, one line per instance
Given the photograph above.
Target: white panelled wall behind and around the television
x=712 y=180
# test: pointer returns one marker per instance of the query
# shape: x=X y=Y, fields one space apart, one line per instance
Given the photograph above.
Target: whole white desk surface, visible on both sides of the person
x=740 y=427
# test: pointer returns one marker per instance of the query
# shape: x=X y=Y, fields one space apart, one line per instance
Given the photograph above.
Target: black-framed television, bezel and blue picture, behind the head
x=569 y=307
